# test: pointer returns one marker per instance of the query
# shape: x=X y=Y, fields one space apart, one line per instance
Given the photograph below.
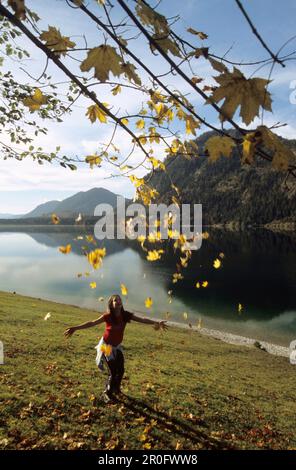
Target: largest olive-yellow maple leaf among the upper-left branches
x=104 y=59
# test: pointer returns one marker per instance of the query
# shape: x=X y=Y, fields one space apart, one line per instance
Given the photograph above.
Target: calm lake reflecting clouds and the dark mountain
x=258 y=272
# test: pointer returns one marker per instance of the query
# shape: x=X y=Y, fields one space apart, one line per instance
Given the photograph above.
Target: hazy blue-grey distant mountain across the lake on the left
x=83 y=202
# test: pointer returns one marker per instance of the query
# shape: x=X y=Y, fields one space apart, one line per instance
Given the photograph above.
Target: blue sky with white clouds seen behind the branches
x=25 y=184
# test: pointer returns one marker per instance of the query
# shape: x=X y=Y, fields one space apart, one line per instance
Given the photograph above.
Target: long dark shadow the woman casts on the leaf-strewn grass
x=173 y=424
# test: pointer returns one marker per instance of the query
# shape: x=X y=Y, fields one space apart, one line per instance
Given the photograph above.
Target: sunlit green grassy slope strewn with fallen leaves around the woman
x=183 y=390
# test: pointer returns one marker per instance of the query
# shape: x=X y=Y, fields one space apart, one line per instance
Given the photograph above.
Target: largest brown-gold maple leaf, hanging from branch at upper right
x=238 y=91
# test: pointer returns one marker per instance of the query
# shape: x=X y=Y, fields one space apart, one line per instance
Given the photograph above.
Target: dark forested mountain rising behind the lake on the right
x=229 y=191
